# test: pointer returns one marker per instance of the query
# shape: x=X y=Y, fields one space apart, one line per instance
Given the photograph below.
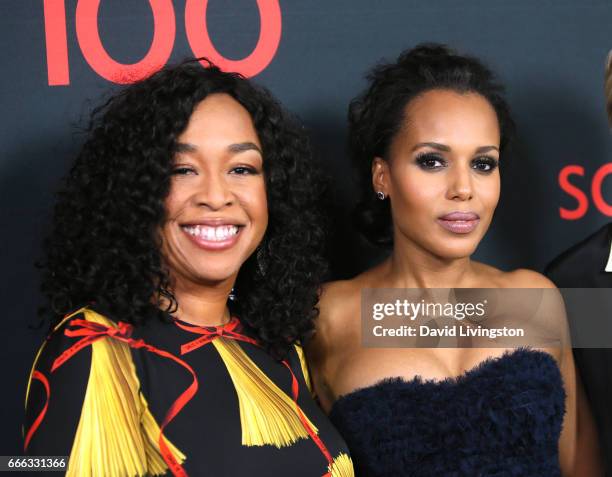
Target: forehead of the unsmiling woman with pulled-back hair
x=449 y=117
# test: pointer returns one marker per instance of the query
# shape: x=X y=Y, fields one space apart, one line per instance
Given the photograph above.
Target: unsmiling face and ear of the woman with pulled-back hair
x=441 y=175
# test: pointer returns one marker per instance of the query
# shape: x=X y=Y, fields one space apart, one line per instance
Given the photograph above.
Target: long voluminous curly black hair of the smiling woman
x=104 y=246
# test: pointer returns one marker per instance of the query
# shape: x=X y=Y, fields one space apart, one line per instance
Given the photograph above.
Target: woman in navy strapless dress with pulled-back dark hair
x=427 y=136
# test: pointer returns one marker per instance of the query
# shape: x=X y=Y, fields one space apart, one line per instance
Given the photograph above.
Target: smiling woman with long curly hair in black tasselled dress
x=181 y=275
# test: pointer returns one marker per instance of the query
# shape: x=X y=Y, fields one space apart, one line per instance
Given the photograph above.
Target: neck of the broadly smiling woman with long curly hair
x=202 y=305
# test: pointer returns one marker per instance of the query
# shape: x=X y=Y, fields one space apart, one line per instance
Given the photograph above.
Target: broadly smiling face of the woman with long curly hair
x=217 y=210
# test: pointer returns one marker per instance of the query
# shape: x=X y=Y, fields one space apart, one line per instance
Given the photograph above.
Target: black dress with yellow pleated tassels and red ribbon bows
x=171 y=398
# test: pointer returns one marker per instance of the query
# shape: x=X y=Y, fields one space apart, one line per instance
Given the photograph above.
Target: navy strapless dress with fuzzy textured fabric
x=501 y=418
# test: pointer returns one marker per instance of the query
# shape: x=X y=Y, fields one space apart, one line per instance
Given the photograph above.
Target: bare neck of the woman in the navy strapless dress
x=411 y=266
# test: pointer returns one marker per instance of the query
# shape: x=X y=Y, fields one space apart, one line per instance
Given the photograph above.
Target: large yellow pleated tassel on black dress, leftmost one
x=117 y=434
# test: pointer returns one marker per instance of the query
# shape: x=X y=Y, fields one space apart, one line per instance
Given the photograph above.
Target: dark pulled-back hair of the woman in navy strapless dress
x=377 y=115
